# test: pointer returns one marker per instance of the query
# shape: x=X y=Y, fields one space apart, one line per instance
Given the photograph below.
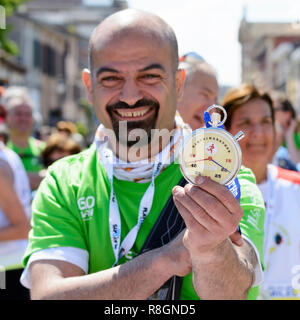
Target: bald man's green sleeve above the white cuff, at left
x=54 y=215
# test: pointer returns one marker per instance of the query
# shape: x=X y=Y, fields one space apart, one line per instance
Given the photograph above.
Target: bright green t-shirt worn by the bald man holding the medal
x=71 y=209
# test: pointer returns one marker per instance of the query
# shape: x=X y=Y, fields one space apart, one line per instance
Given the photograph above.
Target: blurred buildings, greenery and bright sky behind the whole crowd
x=44 y=46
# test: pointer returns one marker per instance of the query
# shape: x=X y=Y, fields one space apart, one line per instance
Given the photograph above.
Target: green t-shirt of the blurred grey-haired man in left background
x=30 y=155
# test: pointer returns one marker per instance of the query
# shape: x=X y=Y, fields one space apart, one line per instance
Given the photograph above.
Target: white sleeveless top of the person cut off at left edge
x=11 y=252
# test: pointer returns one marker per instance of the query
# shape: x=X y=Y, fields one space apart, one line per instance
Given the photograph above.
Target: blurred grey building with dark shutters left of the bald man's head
x=52 y=37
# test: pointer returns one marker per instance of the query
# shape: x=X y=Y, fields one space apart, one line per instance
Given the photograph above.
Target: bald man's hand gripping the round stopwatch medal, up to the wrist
x=211 y=214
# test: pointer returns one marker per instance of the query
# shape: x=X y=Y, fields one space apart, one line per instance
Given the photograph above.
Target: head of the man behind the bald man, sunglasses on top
x=200 y=89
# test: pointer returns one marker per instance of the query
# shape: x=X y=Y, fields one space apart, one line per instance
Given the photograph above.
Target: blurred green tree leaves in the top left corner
x=6 y=44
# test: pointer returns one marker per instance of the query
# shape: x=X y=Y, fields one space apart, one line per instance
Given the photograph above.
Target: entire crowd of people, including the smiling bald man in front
x=104 y=227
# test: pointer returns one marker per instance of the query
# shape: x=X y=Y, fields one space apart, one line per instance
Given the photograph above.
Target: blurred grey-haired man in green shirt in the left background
x=20 y=122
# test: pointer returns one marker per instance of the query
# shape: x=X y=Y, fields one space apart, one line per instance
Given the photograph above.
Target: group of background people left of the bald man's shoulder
x=24 y=160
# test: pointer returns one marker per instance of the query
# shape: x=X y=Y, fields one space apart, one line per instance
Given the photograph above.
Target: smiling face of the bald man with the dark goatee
x=133 y=81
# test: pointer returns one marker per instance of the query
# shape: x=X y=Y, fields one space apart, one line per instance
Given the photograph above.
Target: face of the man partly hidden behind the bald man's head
x=200 y=92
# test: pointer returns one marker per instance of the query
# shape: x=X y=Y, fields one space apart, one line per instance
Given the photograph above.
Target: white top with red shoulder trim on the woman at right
x=282 y=234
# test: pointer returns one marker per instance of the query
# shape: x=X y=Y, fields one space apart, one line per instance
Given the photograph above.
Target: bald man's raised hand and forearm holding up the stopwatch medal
x=220 y=269
